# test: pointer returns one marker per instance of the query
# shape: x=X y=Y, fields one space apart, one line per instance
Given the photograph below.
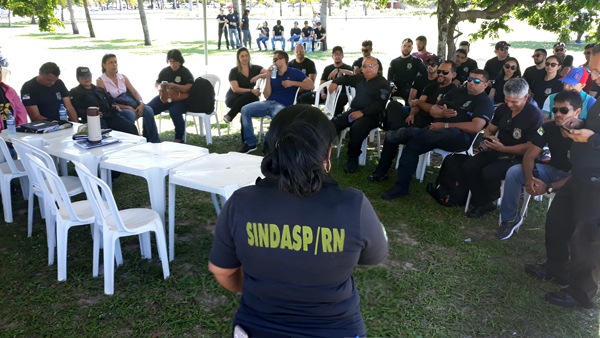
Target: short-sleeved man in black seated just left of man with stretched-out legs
x=419 y=116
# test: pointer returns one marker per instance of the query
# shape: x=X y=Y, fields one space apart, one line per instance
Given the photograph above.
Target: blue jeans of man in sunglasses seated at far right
x=514 y=182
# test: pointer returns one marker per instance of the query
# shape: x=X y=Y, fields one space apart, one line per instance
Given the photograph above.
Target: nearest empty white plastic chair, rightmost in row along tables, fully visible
x=113 y=224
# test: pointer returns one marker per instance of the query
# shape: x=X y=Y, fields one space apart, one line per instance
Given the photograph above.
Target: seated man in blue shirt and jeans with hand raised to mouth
x=279 y=93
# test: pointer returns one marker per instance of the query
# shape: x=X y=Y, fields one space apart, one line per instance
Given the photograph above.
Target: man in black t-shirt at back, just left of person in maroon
x=404 y=69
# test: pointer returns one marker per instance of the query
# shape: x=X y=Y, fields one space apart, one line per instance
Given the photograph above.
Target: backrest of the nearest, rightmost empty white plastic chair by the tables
x=92 y=185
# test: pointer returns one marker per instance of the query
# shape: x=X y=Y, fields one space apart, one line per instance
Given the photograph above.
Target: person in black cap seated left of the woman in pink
x=88 y=95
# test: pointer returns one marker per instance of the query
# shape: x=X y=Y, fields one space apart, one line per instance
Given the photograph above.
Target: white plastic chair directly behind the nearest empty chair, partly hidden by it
x=62 y=213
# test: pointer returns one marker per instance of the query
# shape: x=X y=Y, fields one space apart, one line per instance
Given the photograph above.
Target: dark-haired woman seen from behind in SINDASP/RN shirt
x=289 y=244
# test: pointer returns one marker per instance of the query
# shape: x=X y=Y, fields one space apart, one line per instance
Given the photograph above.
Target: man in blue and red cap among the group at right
x=574 y=81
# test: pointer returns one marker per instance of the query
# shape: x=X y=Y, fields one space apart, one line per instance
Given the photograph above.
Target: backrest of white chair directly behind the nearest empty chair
x=53 y=188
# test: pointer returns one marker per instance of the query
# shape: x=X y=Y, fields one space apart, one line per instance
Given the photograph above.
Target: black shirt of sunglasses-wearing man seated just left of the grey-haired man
x=467 y=106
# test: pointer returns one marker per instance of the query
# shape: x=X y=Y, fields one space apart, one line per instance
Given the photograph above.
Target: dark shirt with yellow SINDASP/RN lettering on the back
x=298 y=254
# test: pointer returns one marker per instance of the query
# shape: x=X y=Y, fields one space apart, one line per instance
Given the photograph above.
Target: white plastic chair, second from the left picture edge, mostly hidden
x=72 y=183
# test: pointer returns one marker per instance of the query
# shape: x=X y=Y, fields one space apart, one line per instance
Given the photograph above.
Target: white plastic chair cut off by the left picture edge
x=8 y=171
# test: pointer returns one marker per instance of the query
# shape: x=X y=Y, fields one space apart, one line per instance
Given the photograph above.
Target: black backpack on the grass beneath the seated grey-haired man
x=450 y=189
